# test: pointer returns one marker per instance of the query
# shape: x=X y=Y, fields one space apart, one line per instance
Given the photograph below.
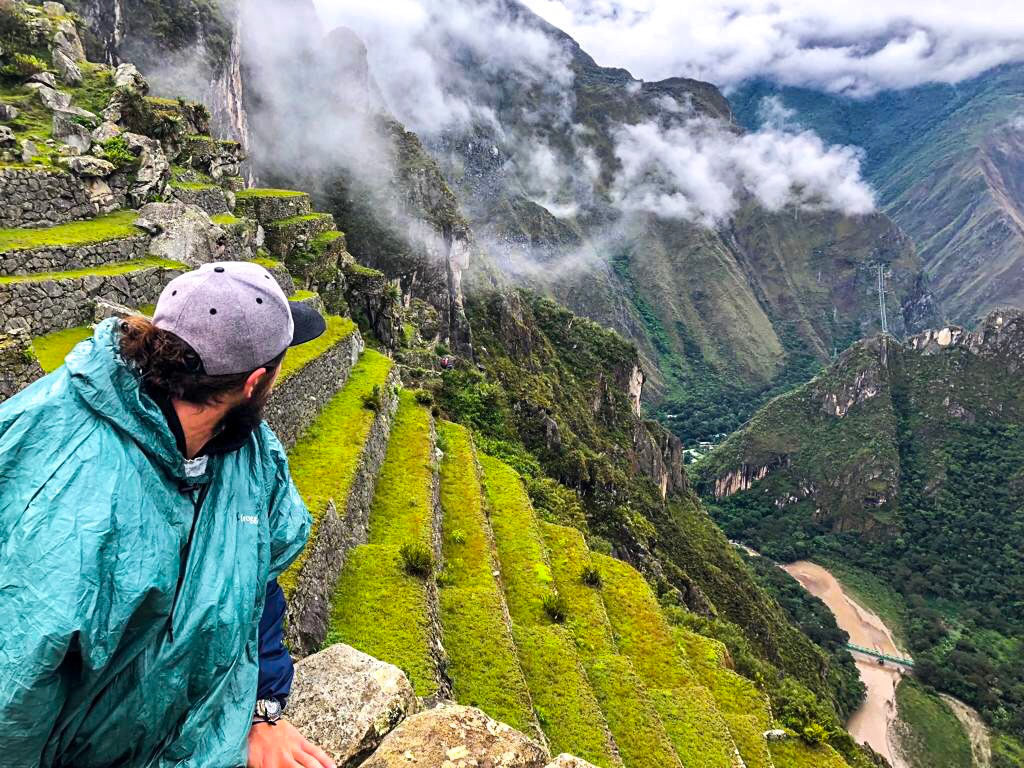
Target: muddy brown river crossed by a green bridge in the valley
x=873 y=722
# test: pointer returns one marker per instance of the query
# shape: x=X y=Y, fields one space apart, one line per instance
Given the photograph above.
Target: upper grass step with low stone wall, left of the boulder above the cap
x=79 y=245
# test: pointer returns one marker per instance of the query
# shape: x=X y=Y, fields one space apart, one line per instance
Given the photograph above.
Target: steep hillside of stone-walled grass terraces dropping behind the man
x=685 y=659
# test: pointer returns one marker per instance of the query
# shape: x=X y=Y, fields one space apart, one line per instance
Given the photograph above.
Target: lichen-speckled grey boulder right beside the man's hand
x=348 y=702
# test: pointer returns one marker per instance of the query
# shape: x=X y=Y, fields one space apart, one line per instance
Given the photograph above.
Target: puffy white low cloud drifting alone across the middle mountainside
x=701 y=172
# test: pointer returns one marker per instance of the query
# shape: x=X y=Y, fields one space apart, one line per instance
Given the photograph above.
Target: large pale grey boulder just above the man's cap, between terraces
x=183 y=233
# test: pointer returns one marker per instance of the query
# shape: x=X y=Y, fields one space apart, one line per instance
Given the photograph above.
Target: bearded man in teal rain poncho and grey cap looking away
x=146 y=513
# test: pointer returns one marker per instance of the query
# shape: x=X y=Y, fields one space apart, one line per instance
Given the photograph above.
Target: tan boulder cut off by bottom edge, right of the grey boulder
x=455 y=737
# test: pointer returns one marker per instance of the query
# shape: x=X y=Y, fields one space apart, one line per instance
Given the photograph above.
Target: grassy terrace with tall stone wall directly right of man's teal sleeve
x=335 y=465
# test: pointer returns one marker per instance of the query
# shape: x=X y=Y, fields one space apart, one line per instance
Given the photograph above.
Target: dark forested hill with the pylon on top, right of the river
x=906 y=461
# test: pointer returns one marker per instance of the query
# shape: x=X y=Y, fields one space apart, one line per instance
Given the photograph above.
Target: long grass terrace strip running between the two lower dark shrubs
x=483 y=663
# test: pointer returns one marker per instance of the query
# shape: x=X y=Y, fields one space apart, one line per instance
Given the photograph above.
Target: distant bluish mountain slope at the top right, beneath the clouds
x=947 y=162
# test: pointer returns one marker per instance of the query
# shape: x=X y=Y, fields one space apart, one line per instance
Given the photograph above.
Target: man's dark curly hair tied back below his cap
x=170 y=366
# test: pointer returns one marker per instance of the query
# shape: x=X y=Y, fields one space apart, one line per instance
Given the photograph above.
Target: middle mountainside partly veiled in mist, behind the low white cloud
x=726 y=315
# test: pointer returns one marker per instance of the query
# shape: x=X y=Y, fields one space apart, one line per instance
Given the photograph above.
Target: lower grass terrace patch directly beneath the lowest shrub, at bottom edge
x=564 y=701
